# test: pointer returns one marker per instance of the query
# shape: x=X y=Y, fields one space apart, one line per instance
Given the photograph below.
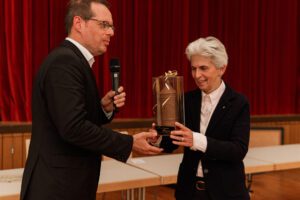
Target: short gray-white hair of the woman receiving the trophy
x=209 y=47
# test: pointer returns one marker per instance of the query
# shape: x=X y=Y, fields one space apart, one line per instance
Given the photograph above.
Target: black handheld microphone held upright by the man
x=114 y=66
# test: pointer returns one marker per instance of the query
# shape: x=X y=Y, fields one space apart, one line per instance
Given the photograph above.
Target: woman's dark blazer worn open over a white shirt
x=227 y=144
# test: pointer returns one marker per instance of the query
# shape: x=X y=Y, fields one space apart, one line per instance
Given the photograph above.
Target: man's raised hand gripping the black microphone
x=111 y=99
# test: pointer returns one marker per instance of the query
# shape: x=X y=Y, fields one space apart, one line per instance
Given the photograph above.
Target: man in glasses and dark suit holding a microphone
x=67 y=114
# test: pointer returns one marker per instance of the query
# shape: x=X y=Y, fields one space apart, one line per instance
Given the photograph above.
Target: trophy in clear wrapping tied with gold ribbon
x=168 y=101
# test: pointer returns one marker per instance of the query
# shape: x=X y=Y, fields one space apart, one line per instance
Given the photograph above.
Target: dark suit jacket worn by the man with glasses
x=67 y=138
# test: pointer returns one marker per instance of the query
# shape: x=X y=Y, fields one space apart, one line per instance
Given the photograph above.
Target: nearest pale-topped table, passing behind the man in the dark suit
x=114 y=176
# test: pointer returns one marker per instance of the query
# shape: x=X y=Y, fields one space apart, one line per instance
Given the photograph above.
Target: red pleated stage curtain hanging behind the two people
x=261 y=39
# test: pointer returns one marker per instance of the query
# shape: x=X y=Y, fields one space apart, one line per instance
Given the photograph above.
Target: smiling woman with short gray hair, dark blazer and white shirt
x=216 y=134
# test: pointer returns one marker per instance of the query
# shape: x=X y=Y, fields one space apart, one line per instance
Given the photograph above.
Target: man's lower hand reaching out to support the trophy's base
x=141 y=145
